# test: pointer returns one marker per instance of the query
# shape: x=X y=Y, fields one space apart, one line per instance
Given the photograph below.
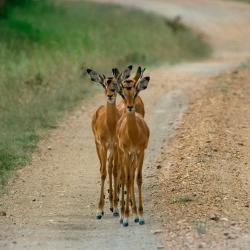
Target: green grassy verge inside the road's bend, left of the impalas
x=42 y=48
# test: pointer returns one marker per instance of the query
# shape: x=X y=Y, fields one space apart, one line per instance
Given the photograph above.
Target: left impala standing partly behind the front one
x=104 y=129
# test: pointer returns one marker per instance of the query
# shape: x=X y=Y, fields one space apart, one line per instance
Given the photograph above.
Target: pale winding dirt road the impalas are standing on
x=52 y=202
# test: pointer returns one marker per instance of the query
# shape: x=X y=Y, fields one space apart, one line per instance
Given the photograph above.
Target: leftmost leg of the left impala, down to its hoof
x=103 y=158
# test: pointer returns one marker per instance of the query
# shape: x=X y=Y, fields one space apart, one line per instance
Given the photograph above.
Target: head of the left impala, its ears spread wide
x=109 y=83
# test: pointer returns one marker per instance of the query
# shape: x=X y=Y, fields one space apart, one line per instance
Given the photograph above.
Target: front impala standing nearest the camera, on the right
x=133 y=136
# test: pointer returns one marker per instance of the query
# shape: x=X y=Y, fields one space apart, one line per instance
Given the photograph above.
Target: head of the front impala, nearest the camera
x=130 y=88
